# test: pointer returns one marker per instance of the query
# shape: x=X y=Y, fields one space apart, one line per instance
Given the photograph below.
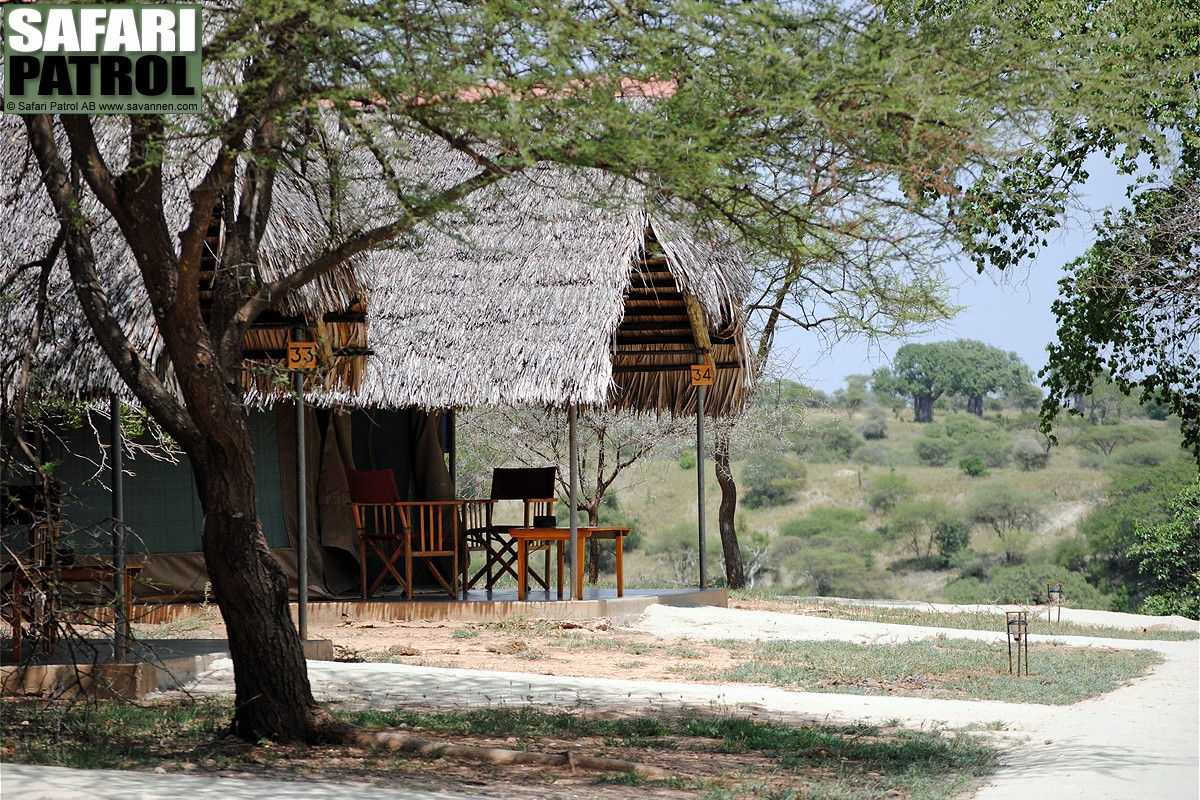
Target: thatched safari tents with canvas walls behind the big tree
x=551 y=288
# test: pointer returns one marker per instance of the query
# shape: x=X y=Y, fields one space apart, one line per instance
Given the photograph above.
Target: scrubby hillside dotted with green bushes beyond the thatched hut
x=962 y=510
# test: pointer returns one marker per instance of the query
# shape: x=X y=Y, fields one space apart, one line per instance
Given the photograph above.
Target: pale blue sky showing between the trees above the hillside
x=1009 y=311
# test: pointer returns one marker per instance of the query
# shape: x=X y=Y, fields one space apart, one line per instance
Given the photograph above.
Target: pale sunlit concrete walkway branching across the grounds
x=1142 y=741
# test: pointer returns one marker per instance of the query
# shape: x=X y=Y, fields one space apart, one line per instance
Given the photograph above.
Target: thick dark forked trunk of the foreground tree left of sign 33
x=206 y=418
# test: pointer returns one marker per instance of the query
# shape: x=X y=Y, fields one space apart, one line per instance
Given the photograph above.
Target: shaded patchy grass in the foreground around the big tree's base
x=712 y=757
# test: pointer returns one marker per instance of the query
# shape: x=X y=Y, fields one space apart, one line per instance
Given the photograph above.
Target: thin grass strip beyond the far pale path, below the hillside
x=988 y=622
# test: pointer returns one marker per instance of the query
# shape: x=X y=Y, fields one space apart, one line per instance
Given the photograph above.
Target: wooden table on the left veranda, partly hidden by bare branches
x=28 y=582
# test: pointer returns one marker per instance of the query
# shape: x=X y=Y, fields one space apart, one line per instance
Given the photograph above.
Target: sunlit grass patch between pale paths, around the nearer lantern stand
x=943 y=669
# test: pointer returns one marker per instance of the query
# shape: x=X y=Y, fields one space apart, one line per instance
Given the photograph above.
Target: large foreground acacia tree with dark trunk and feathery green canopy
x=814 y=131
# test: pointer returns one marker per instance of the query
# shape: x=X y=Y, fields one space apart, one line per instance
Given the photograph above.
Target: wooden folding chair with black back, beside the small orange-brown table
x=535 y=488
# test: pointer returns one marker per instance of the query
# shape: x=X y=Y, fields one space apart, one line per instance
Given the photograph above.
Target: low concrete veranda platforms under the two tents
x=89 y=667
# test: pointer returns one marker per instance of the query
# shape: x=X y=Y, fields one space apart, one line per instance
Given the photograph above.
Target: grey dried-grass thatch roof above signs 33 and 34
x=553 y=287
